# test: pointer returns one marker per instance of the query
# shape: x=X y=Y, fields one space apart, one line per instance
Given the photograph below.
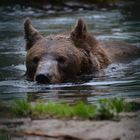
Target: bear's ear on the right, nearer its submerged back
x=79 y=30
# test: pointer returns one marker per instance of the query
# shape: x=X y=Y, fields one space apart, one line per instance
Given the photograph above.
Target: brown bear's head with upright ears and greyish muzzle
x=58 y=58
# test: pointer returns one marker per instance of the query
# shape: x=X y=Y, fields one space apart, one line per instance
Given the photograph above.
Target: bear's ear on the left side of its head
x=31 y=34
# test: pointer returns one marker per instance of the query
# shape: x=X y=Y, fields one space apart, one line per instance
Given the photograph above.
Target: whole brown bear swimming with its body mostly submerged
x=61 y=57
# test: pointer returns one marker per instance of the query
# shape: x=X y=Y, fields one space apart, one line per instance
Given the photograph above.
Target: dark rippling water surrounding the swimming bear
x=118 y=80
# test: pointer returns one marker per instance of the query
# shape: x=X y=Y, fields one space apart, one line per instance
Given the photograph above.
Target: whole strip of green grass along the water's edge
x=104 y=109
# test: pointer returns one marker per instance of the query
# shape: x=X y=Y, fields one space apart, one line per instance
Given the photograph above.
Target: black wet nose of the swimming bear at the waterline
x=42 y=78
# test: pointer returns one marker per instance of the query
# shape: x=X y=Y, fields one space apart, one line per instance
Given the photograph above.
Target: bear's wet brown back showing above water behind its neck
x=119 y=51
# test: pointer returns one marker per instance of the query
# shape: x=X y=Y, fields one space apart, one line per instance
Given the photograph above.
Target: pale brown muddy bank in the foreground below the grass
x=127 y=128
